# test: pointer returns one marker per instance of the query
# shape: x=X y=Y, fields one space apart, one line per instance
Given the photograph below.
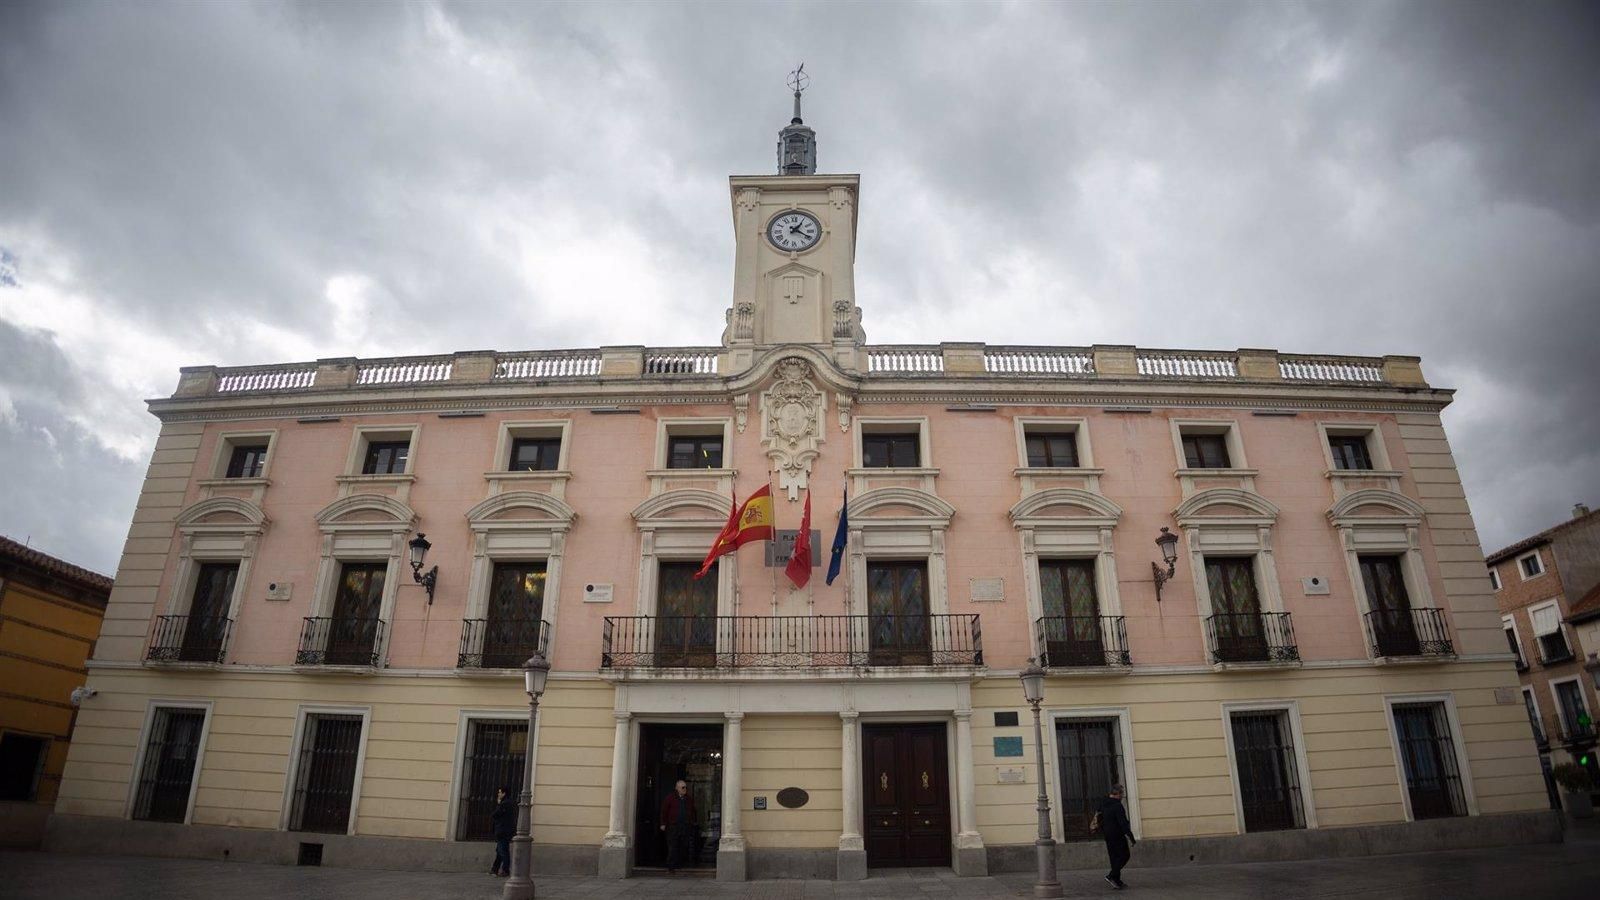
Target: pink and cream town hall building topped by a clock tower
x=276 y=681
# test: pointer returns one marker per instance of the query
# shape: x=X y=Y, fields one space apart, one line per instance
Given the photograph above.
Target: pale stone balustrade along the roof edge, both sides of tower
x=882 y=361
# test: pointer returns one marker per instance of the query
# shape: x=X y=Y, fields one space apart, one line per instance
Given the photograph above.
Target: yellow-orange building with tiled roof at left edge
x=50 y=613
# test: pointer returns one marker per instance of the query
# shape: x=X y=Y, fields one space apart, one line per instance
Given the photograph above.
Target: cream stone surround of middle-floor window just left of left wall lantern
x=362 y=542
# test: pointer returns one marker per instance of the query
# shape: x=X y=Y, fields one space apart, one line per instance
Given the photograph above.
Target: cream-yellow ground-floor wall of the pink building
x=1183 y=781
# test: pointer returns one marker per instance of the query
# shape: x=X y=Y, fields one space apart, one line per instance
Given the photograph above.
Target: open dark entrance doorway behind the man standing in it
x=668 y=753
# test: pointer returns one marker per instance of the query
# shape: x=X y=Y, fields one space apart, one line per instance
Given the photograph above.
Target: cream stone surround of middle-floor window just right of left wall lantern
x=519 y=540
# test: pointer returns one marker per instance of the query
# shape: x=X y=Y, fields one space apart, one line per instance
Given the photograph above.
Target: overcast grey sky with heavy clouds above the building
x=241 y=183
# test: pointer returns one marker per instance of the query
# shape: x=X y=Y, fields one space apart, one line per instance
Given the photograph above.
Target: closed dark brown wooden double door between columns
x=908 y=798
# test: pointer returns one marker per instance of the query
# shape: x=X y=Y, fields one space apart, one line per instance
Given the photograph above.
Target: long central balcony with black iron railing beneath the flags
x=790 y=643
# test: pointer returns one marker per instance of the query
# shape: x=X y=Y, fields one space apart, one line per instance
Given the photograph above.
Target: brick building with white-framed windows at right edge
x=1548 y=589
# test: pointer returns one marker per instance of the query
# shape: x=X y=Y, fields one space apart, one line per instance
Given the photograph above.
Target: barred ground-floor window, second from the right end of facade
x=1270 y=790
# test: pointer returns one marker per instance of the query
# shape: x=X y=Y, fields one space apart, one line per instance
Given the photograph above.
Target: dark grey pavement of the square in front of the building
x=1530 y=874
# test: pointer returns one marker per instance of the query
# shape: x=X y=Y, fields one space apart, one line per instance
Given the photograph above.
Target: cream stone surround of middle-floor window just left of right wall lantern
x=1068 y=537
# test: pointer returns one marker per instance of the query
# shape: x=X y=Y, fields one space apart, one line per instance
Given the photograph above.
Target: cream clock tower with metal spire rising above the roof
x=794 y=254
